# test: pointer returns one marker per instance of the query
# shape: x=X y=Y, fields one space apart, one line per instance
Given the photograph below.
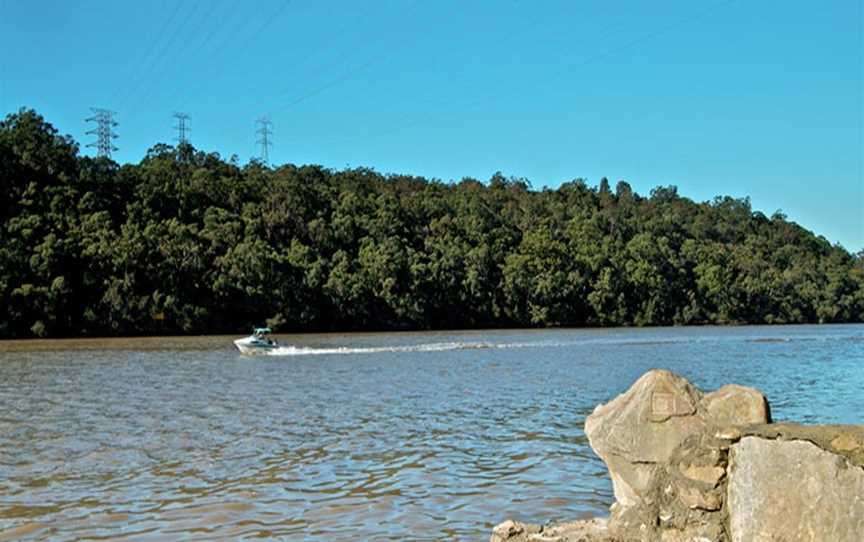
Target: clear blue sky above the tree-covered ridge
x=741 y=98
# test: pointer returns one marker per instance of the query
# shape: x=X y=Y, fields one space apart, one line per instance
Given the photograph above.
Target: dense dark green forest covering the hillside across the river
x=187 y=242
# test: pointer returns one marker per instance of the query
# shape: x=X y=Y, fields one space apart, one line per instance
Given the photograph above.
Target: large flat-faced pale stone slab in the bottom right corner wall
x=793 y=490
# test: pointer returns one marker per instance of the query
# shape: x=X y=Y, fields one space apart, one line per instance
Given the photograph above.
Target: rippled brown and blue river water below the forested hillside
x=365 y=436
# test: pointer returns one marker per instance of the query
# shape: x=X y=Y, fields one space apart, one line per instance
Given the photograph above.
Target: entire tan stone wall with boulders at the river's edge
x=690 y=466
